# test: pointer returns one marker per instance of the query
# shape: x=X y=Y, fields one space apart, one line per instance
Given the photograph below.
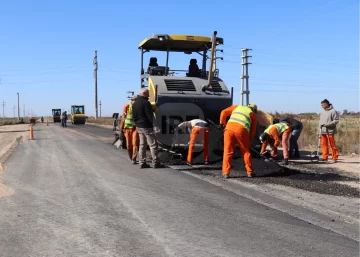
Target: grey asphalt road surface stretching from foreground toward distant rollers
x=75 y=195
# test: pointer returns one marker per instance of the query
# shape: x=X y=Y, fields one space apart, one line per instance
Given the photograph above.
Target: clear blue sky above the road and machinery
x=303 y=51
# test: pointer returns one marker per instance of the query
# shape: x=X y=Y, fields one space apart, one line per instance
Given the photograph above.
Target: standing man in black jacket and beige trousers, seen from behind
x=143 y=117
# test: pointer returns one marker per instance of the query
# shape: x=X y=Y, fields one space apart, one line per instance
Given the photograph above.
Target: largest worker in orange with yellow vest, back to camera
x=240 y=129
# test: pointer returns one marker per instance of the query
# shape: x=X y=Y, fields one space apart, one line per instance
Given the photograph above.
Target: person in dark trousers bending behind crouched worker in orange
x=296 y=128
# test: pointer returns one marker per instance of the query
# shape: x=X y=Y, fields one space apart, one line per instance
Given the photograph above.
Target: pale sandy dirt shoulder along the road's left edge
x=10 y=137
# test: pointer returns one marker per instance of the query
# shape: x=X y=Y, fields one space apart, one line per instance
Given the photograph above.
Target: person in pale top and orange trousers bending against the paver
x=197 y=127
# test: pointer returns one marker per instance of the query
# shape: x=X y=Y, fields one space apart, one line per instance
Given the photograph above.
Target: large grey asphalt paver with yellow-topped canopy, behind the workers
x=197 y=93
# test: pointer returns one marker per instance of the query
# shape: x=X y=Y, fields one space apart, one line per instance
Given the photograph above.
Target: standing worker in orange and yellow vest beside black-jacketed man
x=127 y=126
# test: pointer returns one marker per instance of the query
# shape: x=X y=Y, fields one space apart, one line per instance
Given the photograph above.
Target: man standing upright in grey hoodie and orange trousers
x=329 y=118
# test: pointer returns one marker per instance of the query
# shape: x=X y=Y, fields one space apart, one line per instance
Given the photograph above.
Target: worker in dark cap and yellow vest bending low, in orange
x=273 y=136
